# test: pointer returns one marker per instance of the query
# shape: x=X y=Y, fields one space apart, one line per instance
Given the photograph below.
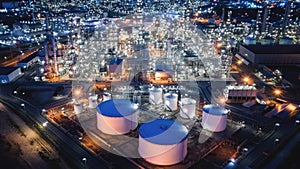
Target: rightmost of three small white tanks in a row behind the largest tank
x=188 y=108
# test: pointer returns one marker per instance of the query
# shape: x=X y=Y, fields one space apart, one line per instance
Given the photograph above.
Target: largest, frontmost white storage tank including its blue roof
x=163 y=142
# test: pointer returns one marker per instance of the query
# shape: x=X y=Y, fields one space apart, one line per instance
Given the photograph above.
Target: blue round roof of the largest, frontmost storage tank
x=163 y=132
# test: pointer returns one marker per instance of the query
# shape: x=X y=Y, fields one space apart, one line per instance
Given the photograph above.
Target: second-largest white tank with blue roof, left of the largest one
x=117 y=116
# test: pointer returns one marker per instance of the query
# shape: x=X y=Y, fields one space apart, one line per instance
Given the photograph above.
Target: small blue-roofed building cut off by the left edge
x=8 y=74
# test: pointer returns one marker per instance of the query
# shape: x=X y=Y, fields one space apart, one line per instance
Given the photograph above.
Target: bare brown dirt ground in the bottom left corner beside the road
x=21 y=147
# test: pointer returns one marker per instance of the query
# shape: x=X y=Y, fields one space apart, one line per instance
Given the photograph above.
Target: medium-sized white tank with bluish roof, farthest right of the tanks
x=214 y=118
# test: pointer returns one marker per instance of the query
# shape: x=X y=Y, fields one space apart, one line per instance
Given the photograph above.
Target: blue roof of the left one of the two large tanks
x=116 y=108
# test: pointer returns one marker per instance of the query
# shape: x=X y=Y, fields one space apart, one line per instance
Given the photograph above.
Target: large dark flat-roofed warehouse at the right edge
x=270 y=54
